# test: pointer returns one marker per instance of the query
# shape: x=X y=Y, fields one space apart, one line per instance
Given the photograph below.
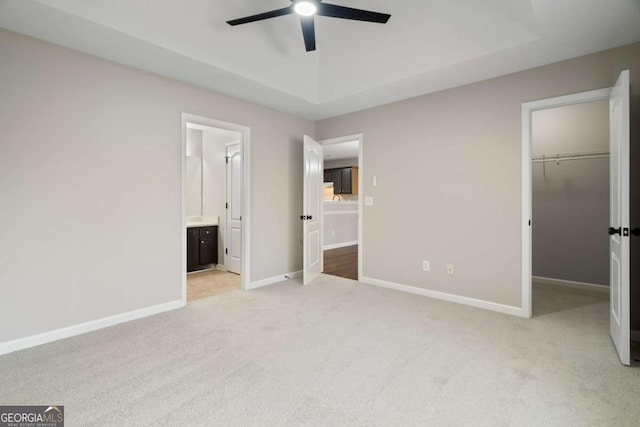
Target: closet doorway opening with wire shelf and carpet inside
x=570 y=207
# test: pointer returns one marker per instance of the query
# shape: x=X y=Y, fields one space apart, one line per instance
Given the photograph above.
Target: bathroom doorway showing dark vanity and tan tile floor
x=215 y=207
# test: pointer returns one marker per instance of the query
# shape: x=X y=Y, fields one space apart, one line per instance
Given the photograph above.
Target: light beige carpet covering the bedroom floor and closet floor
x=337 y=353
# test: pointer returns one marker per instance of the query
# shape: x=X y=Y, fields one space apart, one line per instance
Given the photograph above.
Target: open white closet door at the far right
x=619 y=223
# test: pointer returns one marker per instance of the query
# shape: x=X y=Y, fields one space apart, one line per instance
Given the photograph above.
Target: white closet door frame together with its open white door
x=619 y=231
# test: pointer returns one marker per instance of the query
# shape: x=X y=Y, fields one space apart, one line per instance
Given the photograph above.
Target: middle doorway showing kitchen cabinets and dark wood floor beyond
x=341 y=213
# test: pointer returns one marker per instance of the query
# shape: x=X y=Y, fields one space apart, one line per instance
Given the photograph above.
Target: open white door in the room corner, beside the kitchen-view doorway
x=311 y=212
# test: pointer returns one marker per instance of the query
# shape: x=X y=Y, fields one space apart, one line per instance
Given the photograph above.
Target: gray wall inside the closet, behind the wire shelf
x=571 y=198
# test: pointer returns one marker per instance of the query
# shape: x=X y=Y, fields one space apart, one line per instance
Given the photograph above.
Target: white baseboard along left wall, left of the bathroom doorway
x=93 y=325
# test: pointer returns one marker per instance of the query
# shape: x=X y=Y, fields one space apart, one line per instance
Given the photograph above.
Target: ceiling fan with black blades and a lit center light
x=307 y=8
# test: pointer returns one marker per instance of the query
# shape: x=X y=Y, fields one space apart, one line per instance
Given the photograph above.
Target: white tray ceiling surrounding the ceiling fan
x=427 y=45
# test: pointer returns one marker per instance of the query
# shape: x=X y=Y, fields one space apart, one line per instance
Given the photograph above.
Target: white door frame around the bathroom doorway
x=245 y=145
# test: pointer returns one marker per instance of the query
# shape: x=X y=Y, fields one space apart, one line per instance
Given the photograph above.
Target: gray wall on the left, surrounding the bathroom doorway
x=90 y=169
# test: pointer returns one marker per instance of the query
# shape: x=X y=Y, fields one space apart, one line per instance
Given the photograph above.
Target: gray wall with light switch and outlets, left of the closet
x=448 y=169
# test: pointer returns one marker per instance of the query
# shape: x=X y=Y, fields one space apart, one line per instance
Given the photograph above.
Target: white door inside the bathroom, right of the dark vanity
x=233 y=250
